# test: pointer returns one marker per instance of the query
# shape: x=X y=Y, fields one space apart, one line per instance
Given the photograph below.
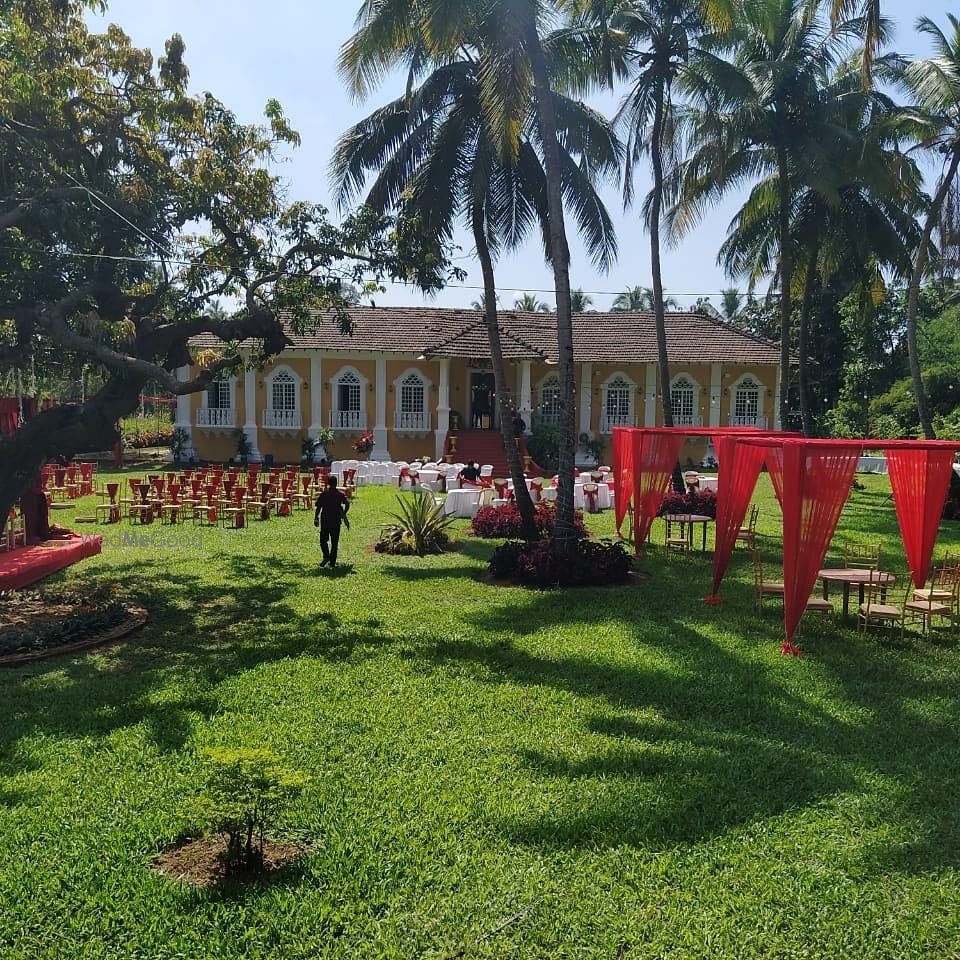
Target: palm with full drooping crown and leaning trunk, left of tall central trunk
x=432 y=153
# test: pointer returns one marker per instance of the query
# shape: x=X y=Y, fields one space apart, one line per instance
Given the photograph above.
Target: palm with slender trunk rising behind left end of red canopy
x=661 y=33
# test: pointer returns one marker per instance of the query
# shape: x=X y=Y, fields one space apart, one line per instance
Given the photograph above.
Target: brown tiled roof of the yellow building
x=598 y=337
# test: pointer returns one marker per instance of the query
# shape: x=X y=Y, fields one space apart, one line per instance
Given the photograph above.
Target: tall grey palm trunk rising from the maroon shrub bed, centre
x=564 y=534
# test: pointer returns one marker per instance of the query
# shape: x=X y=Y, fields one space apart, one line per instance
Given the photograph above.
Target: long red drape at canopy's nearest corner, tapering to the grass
x=816 y=484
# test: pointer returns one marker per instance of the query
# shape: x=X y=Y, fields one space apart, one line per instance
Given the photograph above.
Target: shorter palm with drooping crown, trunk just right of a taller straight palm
x=854 y=207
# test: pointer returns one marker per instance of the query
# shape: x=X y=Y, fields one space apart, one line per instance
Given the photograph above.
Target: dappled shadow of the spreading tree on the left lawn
x=204 y=631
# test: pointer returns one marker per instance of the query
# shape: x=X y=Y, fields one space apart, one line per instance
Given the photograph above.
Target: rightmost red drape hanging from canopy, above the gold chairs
x=920 y=478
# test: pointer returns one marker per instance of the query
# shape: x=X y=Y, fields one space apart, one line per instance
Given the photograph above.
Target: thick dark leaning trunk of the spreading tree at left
x=62 y=430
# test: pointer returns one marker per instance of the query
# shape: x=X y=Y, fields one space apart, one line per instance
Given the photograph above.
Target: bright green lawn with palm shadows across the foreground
x=495 y=772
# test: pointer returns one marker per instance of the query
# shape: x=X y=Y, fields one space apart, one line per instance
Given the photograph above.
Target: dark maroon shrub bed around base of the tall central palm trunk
x=592 y=564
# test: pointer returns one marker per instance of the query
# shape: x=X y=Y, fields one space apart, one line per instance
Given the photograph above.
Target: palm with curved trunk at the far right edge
x=935 y=85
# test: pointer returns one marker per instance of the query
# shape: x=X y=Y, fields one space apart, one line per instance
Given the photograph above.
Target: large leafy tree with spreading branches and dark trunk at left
x=129 y=208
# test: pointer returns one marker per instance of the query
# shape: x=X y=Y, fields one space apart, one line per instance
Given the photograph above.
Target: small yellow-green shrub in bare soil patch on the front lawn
x=245 y=790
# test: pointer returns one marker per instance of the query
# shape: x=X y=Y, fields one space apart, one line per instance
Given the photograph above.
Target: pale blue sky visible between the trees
x=245 y=52
